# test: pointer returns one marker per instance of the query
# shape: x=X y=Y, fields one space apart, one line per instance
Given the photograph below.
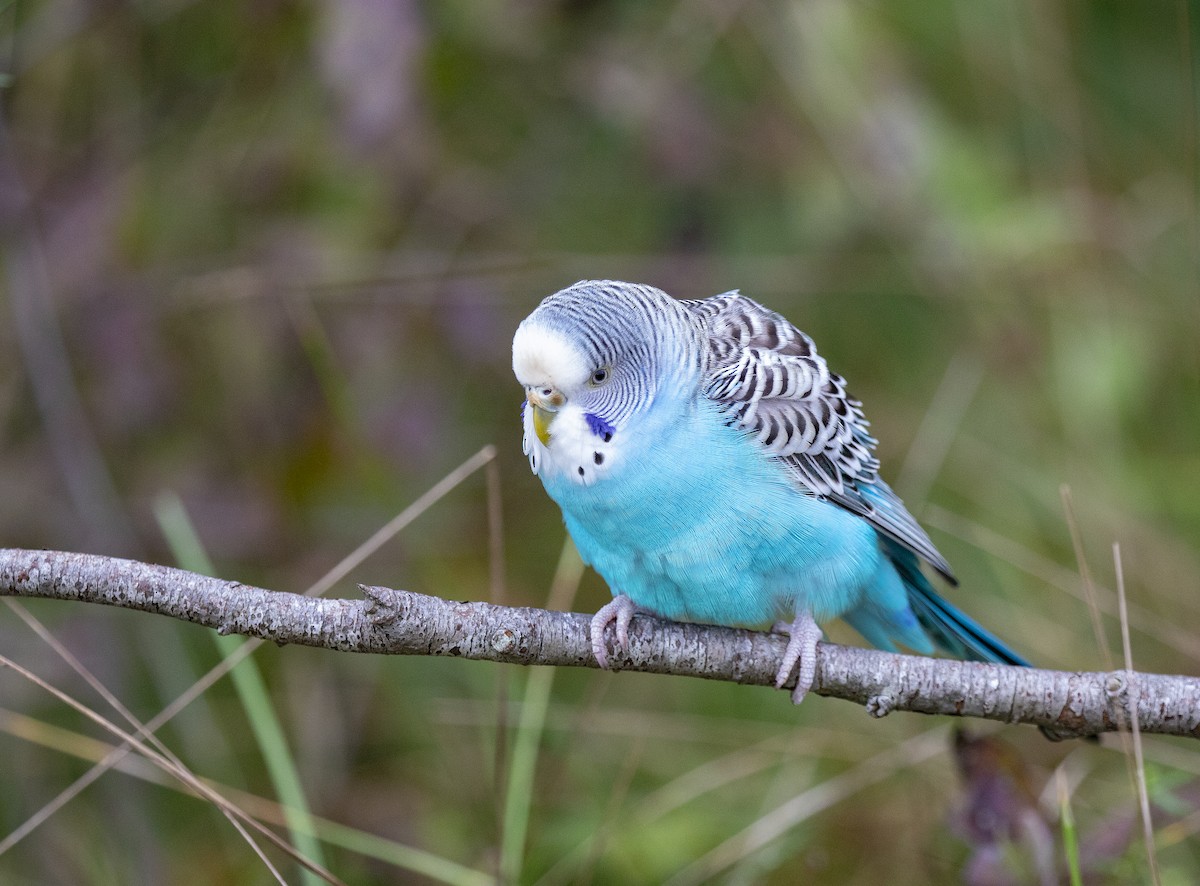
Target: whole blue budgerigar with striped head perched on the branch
x=712 y=469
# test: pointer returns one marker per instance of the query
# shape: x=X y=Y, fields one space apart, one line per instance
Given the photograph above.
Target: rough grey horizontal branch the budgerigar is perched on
x=401 y=622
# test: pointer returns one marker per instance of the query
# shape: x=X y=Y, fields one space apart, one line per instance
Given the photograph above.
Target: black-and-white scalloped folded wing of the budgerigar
x=770 y=381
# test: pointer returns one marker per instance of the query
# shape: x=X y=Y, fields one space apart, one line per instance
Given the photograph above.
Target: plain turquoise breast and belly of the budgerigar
x=699 y=525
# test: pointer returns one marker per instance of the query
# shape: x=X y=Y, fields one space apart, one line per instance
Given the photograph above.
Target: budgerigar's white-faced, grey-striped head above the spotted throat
x=598 y=345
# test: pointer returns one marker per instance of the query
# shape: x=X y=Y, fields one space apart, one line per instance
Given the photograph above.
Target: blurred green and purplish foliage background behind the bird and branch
x=268 y=258
